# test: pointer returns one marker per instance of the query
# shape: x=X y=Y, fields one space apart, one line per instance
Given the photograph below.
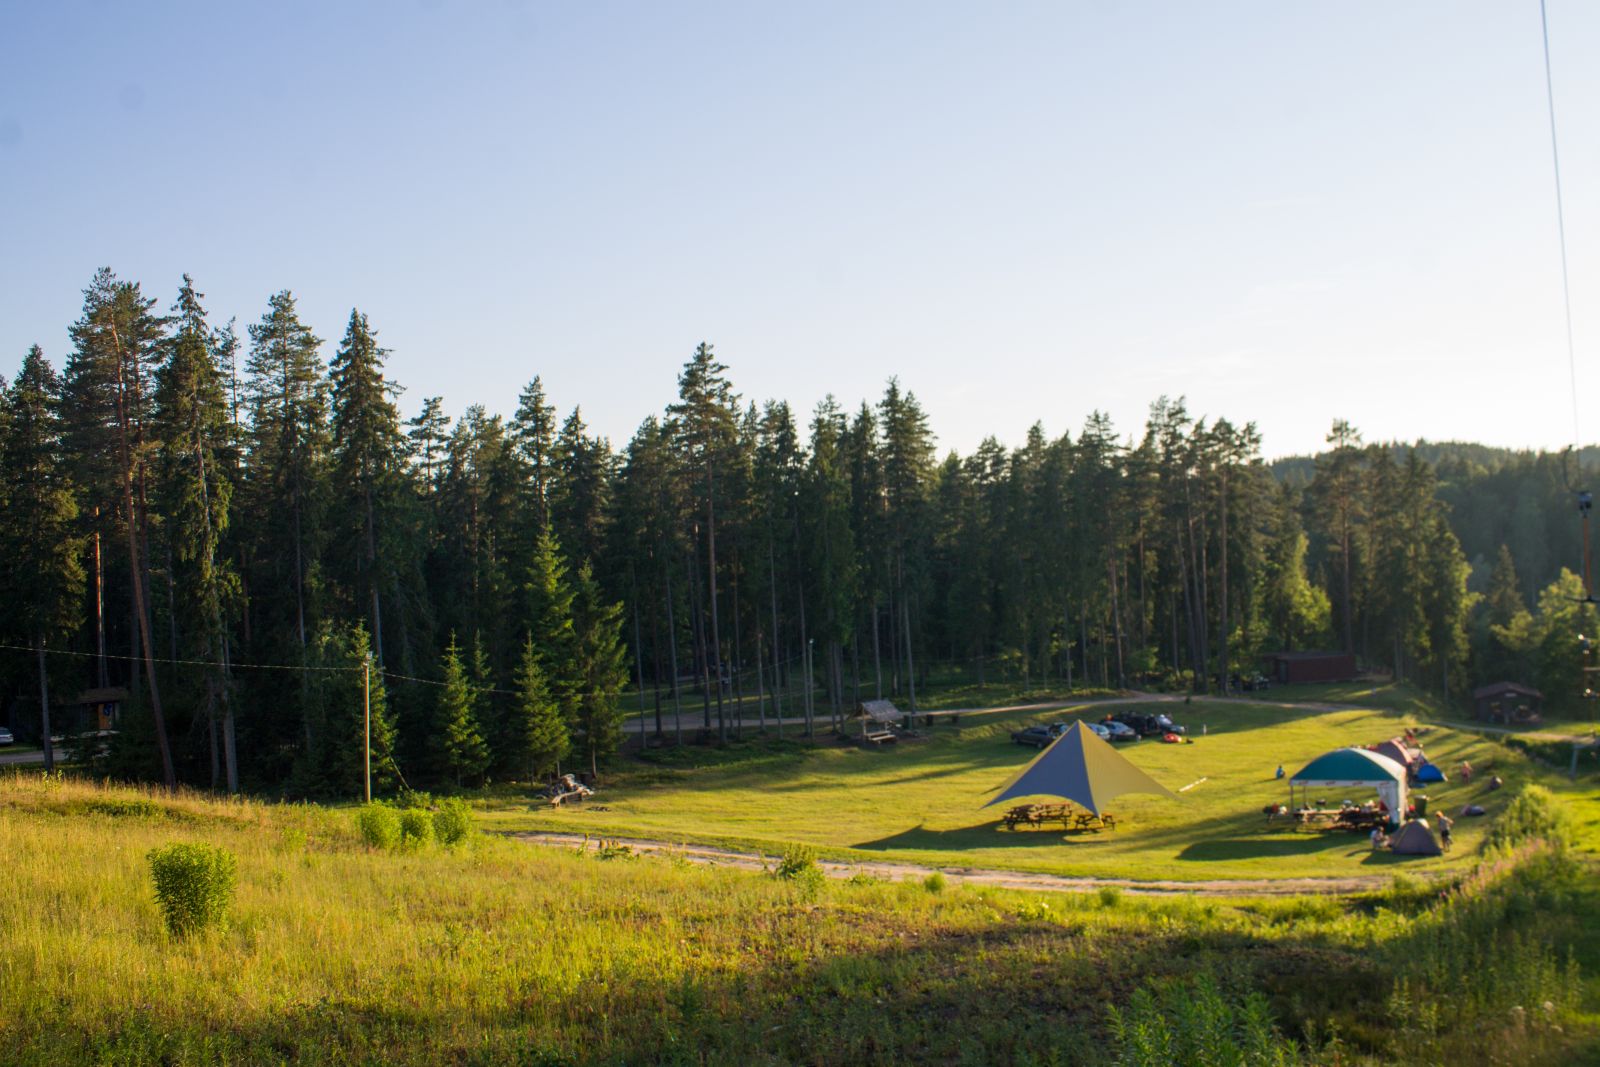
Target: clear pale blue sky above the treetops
x=1286 y=212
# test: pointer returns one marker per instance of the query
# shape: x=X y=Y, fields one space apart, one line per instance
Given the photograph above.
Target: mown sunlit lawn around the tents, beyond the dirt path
x=924 y=801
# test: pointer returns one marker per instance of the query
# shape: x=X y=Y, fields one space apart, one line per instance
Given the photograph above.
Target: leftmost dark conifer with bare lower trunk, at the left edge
x=42 y=551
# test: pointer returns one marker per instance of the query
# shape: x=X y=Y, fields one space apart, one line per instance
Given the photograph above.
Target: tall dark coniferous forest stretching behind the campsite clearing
x=239 y=529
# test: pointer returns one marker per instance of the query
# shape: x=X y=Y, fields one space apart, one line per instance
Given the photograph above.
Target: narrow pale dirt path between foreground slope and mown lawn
x=980 y=876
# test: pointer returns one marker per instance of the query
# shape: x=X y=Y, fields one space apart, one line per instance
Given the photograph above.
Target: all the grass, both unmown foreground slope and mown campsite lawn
x=503 y=953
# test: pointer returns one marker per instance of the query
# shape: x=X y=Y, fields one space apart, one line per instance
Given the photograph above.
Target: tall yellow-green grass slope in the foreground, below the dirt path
x=500 y=954
